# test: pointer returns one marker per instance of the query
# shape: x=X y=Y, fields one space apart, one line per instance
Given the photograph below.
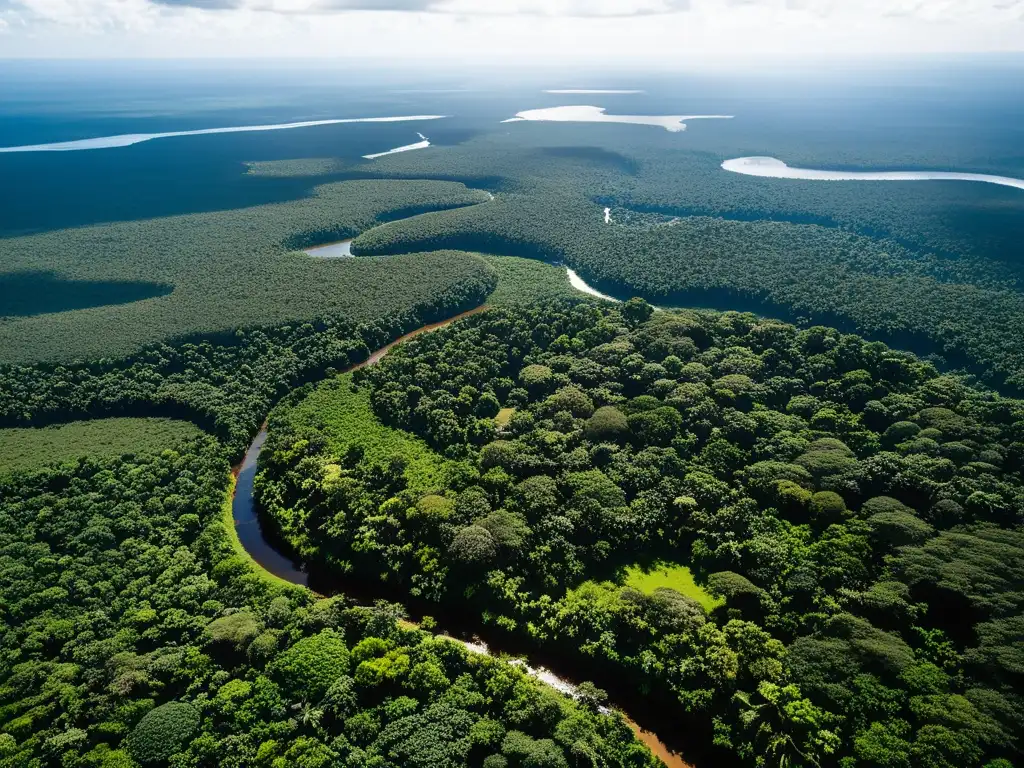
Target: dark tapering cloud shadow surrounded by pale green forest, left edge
x=38 y=292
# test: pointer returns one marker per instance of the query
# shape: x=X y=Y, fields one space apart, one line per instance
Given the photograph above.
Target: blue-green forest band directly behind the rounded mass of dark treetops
x=779 y=269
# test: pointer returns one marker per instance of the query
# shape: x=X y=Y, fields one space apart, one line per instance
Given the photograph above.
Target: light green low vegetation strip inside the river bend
x=345 y=417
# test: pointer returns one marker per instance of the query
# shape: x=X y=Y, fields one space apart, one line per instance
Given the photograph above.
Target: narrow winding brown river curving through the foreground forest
x=265 y=553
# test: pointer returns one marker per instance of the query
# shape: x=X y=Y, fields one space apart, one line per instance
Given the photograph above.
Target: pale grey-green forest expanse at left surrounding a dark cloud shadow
x=222 y=271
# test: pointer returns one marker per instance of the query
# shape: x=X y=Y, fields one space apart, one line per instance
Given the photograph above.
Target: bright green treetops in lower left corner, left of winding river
x=133 y=636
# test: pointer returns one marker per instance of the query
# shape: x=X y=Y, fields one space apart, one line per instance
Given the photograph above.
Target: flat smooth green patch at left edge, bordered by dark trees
x=27 y=450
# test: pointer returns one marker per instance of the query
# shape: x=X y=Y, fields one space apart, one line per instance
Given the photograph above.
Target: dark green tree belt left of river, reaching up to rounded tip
x=228 y=383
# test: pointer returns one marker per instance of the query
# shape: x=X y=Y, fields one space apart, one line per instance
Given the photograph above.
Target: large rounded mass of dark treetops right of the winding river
x=859 y=514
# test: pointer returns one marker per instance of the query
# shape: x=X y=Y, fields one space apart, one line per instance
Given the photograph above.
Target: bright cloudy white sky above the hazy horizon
x=664 y=32
